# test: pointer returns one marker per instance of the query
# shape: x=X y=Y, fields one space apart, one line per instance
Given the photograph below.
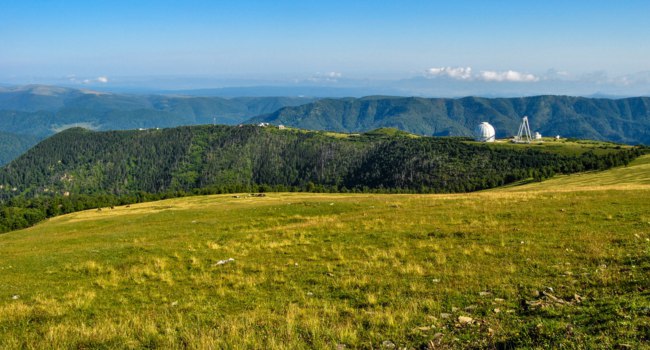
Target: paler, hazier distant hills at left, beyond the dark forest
x=39 y=111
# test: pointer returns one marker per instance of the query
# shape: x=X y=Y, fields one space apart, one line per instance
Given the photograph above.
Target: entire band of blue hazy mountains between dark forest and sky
x=31 y=113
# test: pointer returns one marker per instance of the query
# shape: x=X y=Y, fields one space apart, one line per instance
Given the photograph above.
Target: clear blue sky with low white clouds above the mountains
x=418 y=47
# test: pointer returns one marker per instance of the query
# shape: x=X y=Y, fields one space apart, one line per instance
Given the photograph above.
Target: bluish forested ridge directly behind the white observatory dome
x=621 y=120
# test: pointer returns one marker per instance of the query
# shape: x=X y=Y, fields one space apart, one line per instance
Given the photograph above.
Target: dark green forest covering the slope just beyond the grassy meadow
x=79 y=169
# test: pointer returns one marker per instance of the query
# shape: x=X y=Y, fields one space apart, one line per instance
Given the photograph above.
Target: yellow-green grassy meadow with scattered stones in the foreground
x=560 y=264
